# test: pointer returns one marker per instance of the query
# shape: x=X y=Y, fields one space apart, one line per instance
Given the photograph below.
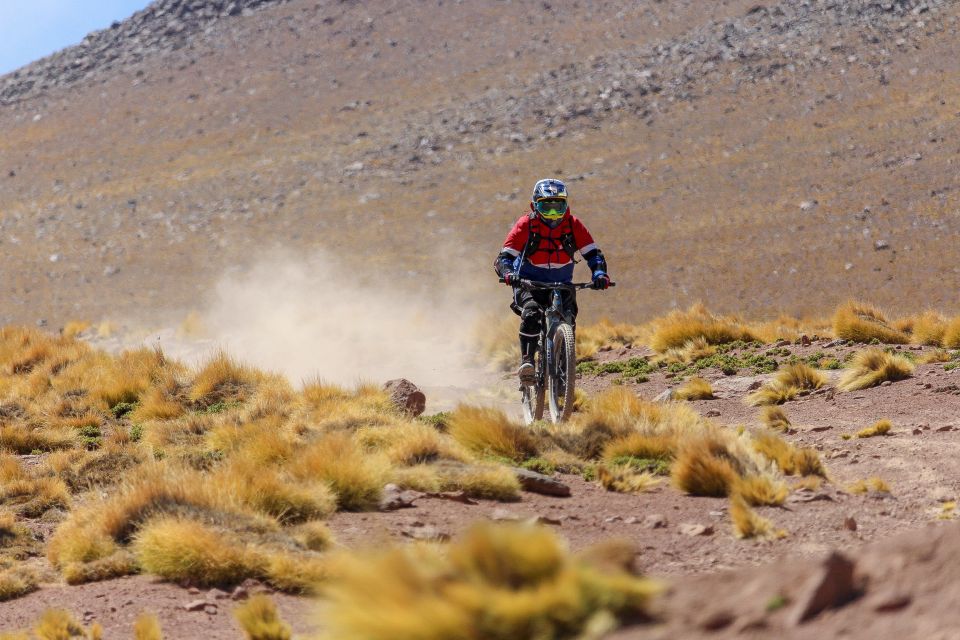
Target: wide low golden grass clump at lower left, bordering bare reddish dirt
x=183 y=550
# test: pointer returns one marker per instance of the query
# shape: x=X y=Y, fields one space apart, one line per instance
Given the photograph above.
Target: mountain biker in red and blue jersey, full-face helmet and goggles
x=541 y=247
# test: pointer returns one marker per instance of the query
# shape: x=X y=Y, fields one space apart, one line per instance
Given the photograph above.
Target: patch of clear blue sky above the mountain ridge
x=32 y=29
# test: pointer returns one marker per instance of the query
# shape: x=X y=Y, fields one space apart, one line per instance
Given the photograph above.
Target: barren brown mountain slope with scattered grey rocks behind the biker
x=403 y=137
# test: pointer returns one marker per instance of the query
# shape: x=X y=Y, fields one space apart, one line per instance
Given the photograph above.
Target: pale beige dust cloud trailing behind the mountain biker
x=307 y=318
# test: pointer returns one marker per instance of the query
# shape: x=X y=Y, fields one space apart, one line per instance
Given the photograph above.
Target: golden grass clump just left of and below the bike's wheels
x=488 y=431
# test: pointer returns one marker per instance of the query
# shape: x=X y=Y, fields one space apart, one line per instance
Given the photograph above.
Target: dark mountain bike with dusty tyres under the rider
x=555 y=360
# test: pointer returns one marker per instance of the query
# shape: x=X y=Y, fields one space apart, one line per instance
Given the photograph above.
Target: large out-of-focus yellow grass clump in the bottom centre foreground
x=499 y=582
